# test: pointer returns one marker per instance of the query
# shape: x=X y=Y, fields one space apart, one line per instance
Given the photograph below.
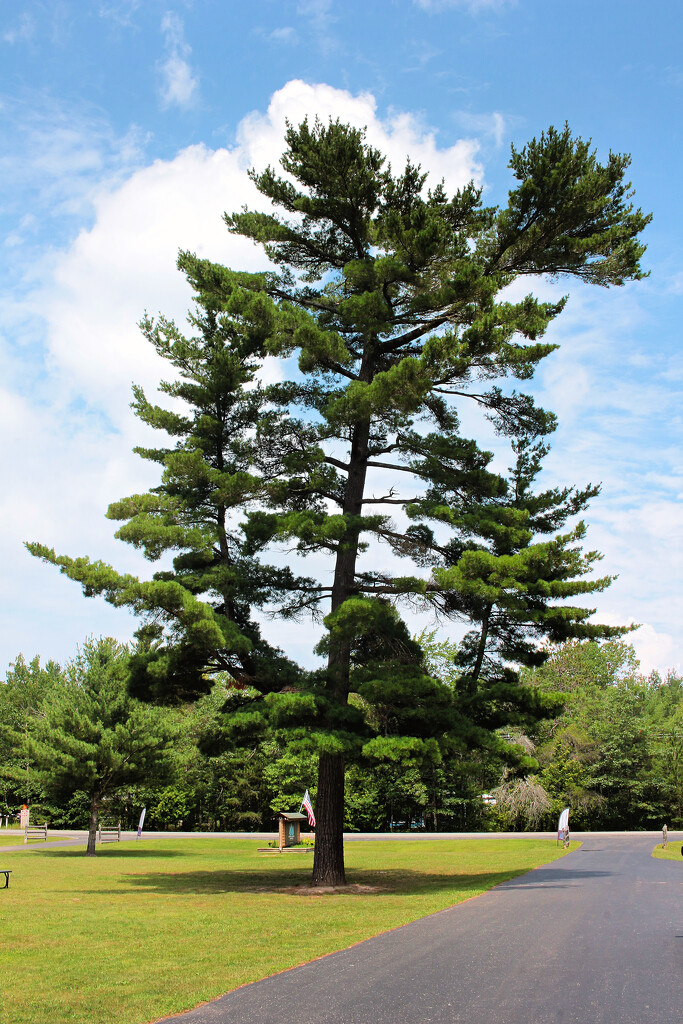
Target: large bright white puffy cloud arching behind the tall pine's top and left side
x=130 y=253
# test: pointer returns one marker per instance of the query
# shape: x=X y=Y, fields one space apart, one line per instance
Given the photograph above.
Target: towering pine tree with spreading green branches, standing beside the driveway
x=390 y=296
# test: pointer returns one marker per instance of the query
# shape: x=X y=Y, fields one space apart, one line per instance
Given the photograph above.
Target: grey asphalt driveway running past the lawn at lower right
x=594 y=937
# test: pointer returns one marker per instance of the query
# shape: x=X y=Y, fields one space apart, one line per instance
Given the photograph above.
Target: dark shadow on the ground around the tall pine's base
x=368 y=884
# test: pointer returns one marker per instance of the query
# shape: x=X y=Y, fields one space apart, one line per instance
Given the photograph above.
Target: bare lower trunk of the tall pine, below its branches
x=329 y=854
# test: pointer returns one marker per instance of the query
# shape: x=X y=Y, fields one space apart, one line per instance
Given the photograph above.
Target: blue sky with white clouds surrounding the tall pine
x=127 y=129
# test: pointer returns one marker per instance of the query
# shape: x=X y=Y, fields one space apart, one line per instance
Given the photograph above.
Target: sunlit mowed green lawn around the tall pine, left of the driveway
x=149 y=929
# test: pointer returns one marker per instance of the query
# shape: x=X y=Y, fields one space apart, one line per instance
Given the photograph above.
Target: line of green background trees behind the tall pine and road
x=612 y=750
